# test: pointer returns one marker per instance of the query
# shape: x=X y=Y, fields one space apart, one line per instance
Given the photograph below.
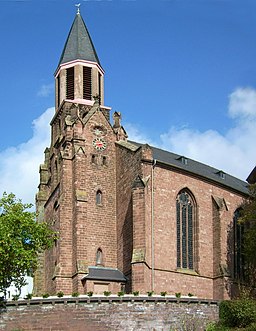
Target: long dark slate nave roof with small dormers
x=193 y=167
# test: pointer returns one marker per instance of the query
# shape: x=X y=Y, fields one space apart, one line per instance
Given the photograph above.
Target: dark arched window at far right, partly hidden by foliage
x=238 y=246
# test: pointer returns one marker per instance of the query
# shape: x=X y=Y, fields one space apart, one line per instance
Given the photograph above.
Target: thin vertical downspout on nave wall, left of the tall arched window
x=152 y=228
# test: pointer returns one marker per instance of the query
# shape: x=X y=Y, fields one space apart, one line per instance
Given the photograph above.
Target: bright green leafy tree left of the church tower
x=21 y=240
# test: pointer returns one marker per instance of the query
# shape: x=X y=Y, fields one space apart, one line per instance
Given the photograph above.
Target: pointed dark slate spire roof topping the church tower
x=79 y=45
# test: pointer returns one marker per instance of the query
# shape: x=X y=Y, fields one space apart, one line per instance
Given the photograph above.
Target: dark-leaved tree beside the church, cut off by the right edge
x=248 y=219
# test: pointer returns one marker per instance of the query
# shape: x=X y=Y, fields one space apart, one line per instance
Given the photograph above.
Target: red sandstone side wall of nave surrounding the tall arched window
x=209 y=255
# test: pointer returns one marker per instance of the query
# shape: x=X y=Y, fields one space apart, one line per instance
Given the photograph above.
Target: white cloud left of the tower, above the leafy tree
x=19 y=165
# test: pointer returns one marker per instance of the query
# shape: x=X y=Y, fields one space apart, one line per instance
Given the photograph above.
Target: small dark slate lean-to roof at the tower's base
x=108 y=274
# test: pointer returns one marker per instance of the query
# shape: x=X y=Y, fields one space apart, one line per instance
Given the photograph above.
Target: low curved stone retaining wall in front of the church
x=112 y=313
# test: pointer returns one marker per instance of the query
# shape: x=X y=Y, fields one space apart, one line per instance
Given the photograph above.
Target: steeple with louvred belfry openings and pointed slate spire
x=79 y=76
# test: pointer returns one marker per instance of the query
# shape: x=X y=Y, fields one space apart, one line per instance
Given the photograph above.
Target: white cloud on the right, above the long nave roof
x=235 y=151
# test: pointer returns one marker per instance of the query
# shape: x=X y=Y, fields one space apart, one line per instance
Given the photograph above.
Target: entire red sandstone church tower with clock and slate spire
x=77 y=190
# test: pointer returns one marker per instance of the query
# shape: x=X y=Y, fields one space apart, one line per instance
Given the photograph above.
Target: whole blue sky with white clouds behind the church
x=181 y=72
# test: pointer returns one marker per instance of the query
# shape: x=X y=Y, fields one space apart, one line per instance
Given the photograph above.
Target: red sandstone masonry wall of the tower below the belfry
x=83 y=225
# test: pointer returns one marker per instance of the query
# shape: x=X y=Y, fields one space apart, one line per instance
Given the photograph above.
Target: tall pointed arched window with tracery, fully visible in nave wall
x=185 y=208
